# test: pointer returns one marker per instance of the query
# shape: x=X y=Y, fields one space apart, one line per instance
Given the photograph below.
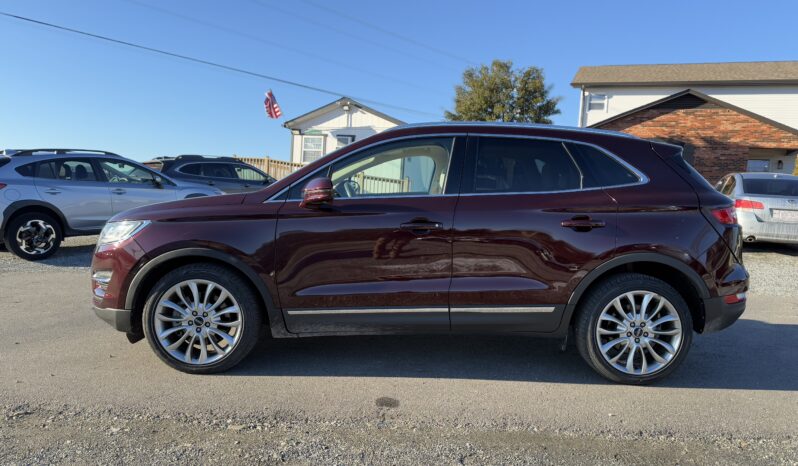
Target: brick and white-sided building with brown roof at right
x=728 y=116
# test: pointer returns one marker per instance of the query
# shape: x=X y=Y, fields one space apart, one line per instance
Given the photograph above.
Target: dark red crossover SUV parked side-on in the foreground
x=439 y=228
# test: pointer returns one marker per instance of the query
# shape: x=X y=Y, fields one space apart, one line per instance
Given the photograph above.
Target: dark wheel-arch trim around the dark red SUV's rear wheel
x=675 y=272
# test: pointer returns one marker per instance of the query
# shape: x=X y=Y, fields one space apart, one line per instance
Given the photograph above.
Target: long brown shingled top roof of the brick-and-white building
x=764 y=72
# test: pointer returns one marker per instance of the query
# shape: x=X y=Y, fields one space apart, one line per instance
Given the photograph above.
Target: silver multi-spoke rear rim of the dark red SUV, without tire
x=639 y=332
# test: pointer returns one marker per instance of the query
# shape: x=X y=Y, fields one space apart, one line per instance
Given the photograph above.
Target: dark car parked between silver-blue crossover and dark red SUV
x=226 y=173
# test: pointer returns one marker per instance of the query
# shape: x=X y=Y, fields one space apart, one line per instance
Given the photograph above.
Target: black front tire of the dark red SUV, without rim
x=248 y=303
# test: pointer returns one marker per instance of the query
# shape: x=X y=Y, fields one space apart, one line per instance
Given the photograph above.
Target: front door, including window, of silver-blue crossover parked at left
x=132 y=185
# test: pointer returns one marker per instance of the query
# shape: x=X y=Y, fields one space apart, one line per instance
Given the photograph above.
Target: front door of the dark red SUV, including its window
x=379 y=259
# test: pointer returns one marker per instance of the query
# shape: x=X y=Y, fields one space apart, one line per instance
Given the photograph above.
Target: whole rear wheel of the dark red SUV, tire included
x=633 y=328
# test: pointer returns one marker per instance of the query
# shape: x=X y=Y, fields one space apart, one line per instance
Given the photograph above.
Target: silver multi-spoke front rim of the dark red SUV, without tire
x=198 y=322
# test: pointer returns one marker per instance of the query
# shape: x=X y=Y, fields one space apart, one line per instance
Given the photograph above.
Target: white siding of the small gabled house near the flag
x=356 y=122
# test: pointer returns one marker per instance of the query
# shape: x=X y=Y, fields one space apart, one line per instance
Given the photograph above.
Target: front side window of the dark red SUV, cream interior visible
x=417 y=167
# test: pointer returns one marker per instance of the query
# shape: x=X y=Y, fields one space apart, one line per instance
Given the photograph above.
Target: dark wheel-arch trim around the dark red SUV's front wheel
x=148 y=275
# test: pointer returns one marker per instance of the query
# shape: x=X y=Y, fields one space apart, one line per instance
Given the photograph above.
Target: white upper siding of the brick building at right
x=779 y=103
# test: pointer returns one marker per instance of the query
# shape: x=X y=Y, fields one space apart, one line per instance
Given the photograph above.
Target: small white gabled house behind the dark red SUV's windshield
x=333 y=126
